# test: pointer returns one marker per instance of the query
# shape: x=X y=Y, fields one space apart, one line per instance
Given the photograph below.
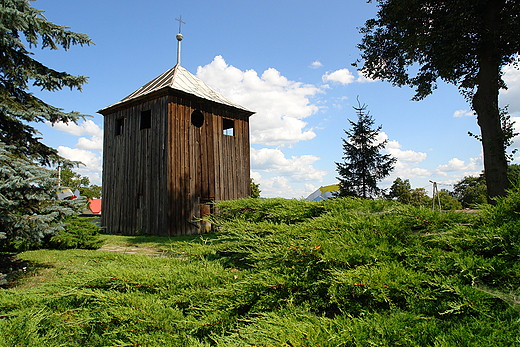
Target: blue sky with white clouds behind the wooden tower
x=289 y=61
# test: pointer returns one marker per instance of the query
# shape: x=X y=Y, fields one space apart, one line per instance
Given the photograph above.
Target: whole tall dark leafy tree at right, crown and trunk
x=466 y=43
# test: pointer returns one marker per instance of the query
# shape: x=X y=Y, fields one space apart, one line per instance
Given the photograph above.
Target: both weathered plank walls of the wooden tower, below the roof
x=154 y=180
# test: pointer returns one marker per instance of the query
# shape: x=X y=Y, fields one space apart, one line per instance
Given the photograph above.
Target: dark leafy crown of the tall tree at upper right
x=445 y=48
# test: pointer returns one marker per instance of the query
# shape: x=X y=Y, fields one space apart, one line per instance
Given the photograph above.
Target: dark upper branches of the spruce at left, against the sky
x=23 y=28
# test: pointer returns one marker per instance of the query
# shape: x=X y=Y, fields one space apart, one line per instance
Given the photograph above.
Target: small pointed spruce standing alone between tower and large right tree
x=363 y=166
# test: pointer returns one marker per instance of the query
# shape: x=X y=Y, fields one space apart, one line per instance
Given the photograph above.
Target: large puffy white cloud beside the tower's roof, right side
x=280 y=104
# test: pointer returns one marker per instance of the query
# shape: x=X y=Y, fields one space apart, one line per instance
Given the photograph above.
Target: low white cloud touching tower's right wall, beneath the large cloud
x=297 y=168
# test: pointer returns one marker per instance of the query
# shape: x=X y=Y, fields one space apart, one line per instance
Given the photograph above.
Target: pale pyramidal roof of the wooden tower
x=180 y=79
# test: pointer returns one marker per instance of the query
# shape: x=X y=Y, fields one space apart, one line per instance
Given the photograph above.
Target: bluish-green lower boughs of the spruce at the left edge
x=29 y=208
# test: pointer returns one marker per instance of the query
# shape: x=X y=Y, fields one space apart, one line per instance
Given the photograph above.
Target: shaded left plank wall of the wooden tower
x=134 y=164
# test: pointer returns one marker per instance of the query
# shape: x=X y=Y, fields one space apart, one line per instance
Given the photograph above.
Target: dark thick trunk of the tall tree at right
x=485 y=103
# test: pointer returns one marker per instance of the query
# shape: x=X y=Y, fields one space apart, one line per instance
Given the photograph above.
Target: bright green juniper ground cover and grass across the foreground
x=342 y=272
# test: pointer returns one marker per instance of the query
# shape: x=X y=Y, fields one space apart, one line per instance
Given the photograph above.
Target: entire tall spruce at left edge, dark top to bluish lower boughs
x=29 y=208
